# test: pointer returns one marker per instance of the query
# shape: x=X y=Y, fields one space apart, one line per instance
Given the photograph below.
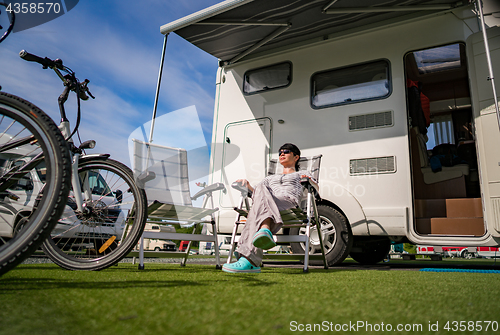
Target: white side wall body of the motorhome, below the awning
x=380 y=202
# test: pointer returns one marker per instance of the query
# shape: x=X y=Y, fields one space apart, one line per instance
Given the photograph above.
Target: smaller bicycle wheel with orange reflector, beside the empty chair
x=114 y=215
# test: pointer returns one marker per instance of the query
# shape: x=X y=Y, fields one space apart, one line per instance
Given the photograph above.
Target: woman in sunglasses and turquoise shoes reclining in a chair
x=272 y=195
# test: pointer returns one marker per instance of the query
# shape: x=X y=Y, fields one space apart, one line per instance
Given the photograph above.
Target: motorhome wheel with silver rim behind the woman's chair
x=337 y=236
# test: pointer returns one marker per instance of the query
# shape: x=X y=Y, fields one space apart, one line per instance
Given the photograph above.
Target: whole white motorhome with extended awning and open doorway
x=398 y=97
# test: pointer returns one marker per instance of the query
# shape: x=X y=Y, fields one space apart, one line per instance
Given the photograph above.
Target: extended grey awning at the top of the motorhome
x=234 y=29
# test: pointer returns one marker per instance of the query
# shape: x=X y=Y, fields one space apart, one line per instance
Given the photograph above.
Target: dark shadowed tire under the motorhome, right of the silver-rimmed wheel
x=370 y=250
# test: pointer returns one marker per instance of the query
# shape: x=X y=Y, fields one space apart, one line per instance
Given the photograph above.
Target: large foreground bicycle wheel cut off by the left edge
x=35 y=167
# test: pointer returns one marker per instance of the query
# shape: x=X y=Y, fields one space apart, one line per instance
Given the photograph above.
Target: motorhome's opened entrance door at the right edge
x=485 y=121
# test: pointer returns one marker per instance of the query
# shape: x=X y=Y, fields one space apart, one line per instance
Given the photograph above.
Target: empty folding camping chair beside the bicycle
x=163 y=172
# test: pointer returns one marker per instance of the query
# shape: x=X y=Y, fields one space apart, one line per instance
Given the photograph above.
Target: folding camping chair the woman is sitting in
x=304 y=216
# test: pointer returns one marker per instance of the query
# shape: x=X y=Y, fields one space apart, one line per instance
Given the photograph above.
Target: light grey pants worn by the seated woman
x=265 y=205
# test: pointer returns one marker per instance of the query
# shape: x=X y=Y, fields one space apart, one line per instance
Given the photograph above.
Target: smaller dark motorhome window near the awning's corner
x=267 y=78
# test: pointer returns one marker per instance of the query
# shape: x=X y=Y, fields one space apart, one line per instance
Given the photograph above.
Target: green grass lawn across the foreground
x=197 y=299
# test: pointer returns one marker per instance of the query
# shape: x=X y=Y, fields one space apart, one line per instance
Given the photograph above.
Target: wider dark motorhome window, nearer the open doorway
x=351 y=84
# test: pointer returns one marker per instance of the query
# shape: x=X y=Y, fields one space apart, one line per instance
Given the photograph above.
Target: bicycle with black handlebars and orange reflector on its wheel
x=106 y=211
